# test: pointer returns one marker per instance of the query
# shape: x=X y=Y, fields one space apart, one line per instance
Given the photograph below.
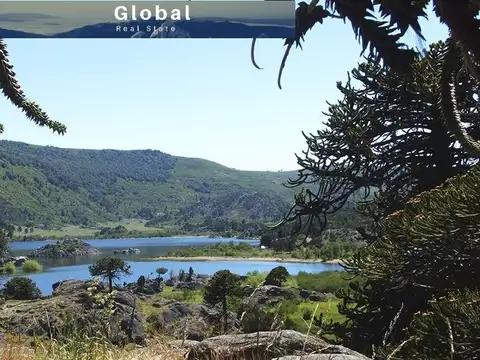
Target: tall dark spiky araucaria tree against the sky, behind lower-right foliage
x=386 y=135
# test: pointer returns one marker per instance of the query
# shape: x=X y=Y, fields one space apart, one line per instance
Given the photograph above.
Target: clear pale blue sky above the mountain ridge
x=195 y=98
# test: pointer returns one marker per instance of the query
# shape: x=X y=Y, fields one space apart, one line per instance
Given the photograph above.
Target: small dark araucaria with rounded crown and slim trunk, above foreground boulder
x=221 y=286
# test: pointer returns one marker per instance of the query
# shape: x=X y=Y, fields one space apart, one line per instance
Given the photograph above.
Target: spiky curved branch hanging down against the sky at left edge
x=12 y=91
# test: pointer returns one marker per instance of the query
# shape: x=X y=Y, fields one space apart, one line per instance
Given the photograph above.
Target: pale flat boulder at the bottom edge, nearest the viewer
x=266 y=345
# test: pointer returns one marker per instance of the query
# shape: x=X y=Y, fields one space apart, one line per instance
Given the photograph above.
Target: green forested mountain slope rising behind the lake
x=53 y=186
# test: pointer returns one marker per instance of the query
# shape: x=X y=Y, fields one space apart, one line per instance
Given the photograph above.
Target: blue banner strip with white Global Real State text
x=147 y=19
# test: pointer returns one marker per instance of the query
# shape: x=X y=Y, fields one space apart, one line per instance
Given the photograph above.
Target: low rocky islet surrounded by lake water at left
x=65 y=248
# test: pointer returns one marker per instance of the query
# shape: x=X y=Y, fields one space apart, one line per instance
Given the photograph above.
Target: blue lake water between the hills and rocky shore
x=77 y=268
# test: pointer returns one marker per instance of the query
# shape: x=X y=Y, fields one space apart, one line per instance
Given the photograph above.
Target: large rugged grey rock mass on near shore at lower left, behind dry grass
x=71 y=309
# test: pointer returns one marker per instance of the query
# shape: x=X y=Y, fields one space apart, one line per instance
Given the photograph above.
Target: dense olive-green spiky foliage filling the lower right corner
x=429 y=251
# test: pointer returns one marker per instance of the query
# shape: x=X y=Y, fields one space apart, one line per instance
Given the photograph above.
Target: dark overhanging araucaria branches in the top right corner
x=381 y=31
